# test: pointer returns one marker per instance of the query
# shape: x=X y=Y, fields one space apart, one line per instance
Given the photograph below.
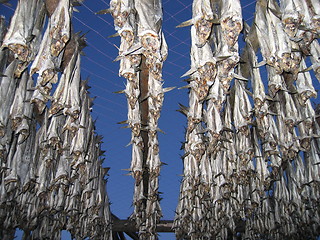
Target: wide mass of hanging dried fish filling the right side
x=251 y=162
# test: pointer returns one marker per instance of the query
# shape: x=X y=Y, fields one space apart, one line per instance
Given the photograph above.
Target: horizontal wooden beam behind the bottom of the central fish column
x=120 y=225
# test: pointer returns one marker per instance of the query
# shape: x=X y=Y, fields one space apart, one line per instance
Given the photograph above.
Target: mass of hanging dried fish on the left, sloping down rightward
x=51 y=176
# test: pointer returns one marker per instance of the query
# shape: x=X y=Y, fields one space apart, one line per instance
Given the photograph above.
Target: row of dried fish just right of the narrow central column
x=214 y=54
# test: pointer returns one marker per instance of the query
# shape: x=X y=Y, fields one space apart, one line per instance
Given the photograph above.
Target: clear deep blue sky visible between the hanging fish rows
x=110 y=108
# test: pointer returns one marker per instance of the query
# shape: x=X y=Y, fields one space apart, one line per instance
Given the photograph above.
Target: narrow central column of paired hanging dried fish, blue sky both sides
x=141 y=54
